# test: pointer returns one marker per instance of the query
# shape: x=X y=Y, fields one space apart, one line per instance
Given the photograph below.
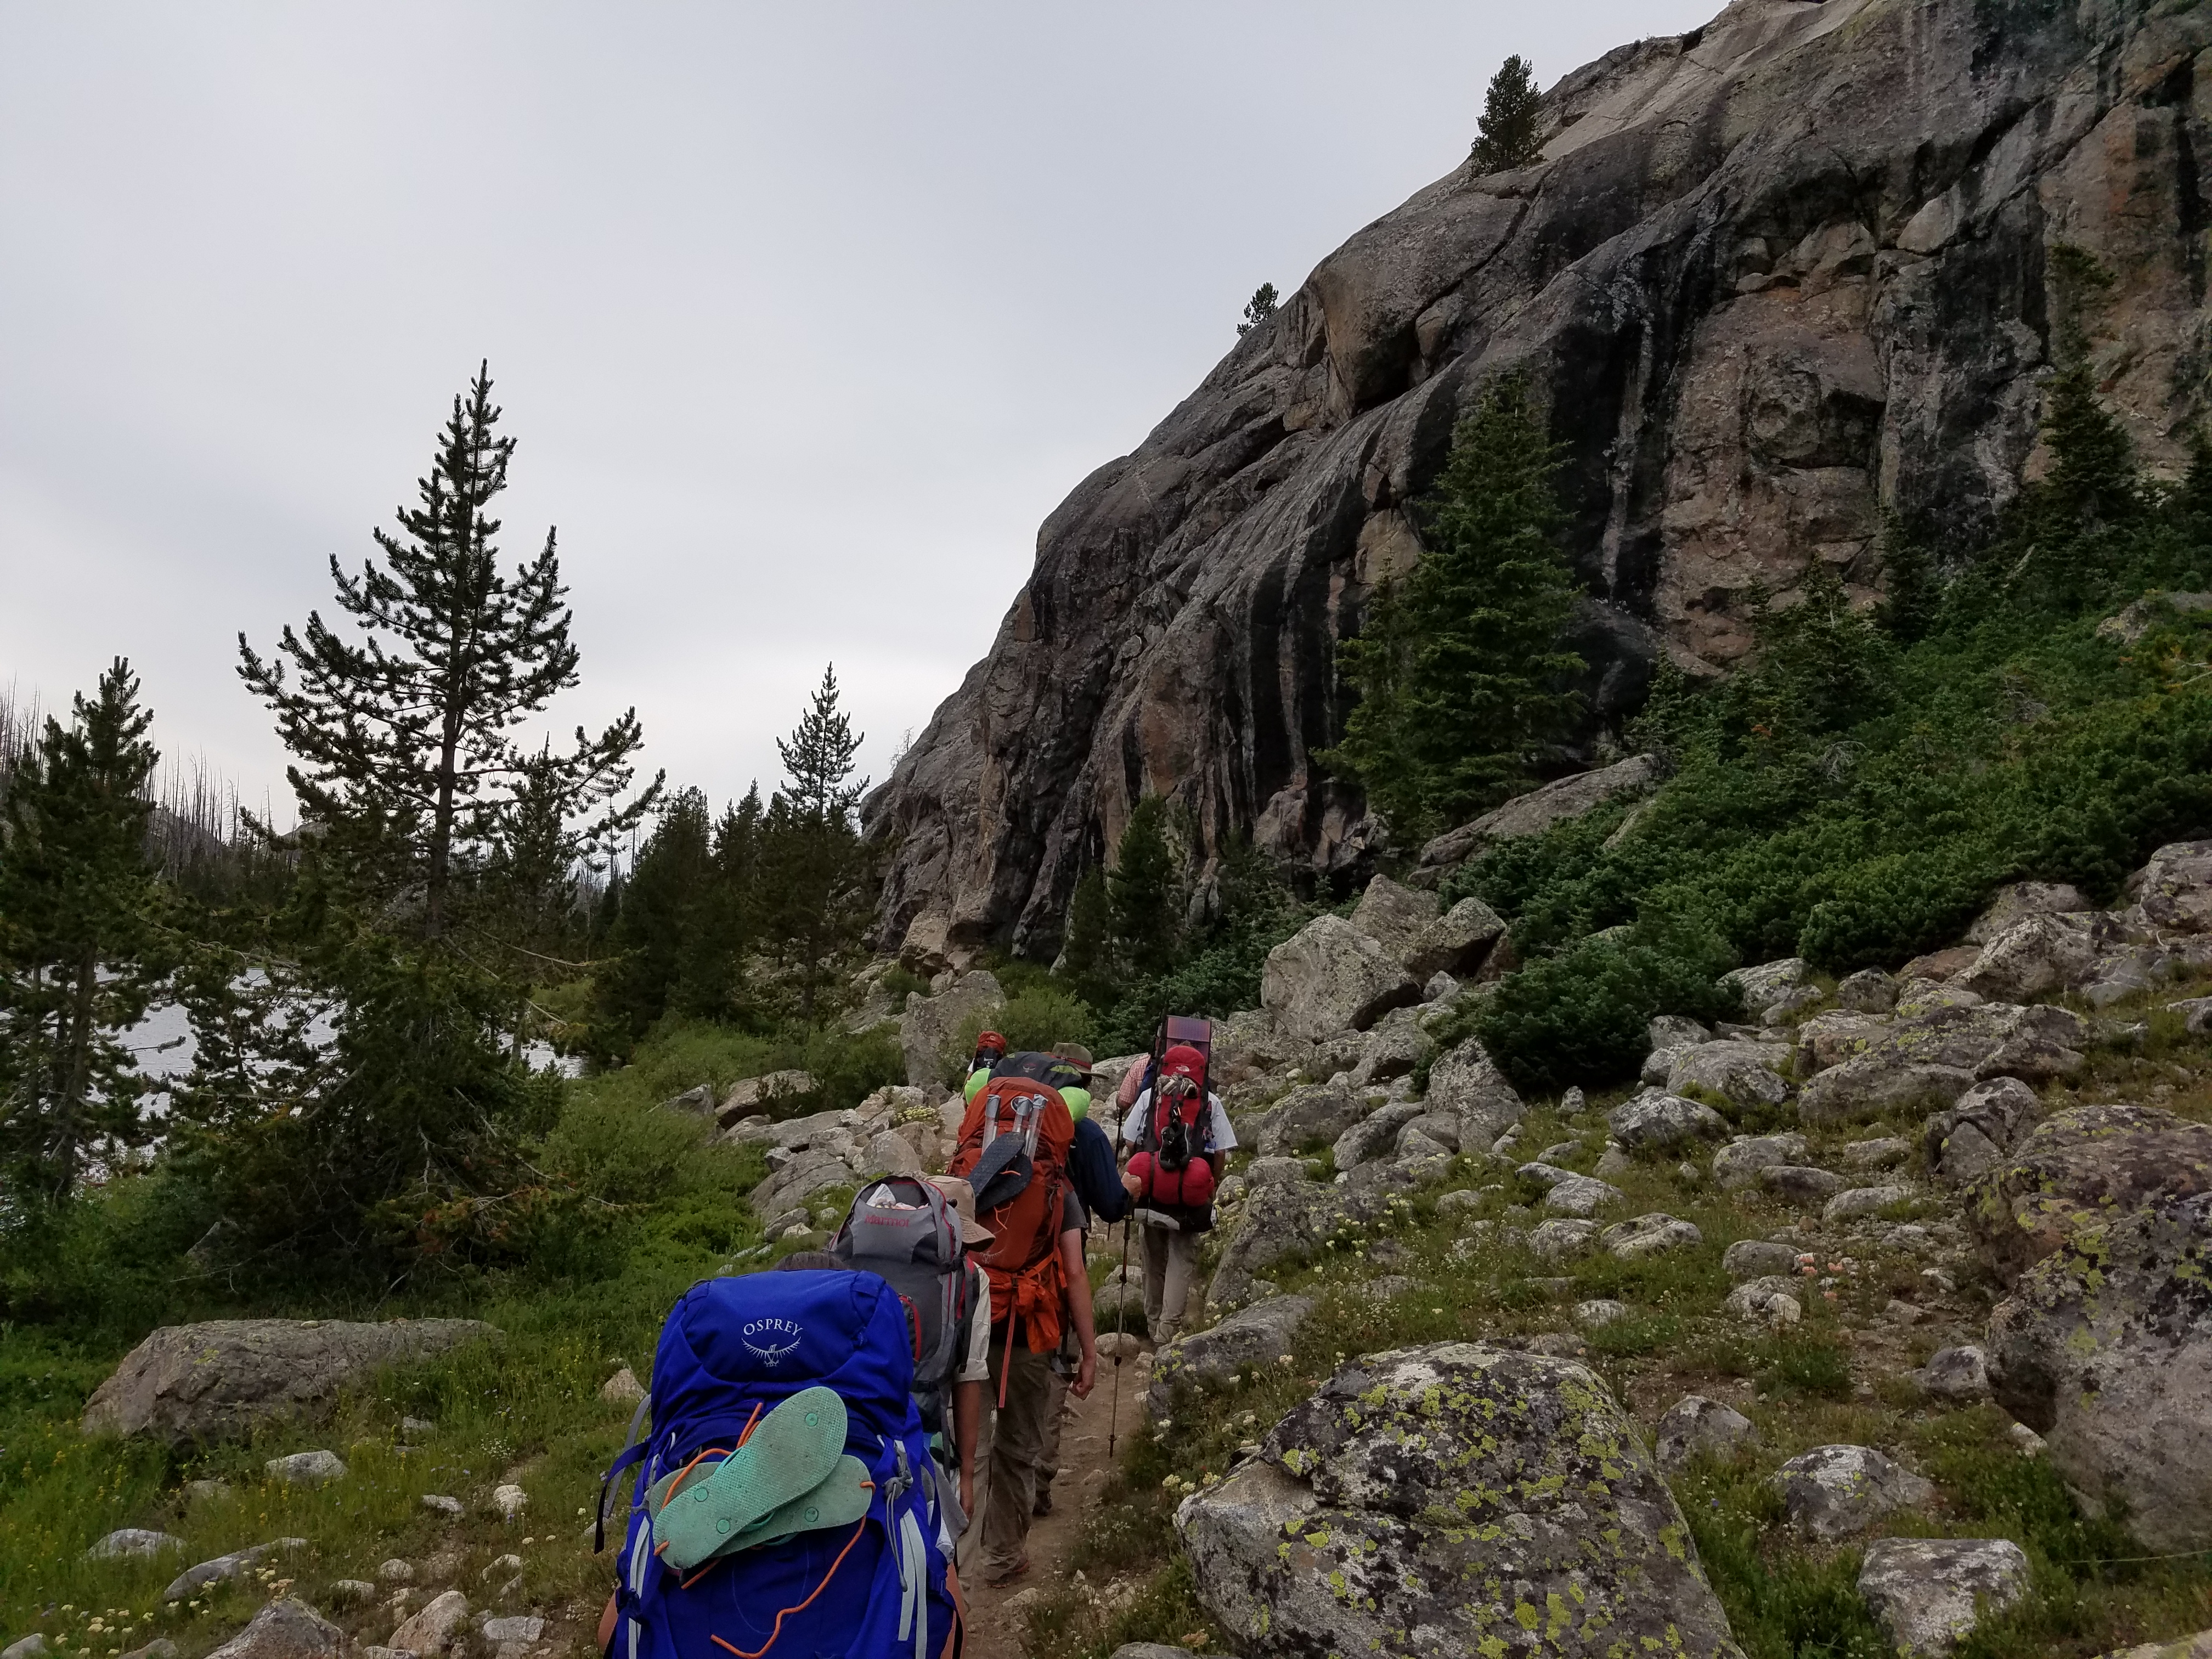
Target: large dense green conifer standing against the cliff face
x=1461 y=674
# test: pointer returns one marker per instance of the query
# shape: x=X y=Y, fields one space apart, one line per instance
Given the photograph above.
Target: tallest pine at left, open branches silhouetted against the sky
x=404 y=744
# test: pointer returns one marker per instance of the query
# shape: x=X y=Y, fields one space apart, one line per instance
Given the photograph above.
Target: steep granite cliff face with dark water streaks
x=1768 y=278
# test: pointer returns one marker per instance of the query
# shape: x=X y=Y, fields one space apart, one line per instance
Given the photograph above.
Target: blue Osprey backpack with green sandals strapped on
x=731 y=1353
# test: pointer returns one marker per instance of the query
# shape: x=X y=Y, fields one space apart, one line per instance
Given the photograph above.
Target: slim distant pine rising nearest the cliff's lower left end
x=817 y=875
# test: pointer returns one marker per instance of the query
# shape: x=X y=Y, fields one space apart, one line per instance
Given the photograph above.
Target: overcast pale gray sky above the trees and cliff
x=804 y=315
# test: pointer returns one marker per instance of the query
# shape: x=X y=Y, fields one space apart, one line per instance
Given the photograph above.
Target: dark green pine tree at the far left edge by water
x=76 y=895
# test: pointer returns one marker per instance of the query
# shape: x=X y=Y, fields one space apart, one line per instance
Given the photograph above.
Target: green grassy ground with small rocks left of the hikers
x=525 y=1410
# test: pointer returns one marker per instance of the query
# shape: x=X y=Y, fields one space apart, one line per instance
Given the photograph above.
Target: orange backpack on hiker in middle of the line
x=1014 y=1151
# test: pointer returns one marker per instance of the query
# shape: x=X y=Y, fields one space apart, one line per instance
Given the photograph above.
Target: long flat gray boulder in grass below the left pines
x=222 y=1379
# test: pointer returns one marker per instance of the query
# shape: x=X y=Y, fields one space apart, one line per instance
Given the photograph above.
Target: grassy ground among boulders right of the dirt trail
x=1830 y=1379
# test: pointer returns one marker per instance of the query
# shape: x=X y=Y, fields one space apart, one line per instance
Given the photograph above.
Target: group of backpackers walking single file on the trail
x=820 y=1430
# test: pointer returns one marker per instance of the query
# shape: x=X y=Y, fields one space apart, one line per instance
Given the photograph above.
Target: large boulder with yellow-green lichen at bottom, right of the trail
x=1446 y=1501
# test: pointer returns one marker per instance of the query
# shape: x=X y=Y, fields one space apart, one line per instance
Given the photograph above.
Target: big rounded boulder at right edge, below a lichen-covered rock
x=2105 y=1348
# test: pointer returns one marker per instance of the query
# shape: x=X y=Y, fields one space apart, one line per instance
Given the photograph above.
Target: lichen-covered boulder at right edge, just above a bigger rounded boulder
x=2083 y=1167
